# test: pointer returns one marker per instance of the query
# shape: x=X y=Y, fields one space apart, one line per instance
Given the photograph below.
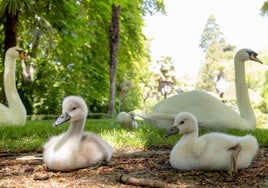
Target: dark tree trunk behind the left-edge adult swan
x=10 y=28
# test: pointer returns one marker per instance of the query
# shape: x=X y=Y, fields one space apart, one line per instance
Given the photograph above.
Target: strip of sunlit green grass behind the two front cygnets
x=35 y=133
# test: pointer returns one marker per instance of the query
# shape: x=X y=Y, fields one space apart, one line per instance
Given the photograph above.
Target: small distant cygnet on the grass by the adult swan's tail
x=127 y=120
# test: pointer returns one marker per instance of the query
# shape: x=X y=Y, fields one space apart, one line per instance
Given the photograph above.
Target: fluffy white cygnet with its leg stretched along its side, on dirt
x=212 y=151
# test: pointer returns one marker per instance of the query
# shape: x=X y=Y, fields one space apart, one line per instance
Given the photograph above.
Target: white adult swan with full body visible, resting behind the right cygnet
x=209 y=111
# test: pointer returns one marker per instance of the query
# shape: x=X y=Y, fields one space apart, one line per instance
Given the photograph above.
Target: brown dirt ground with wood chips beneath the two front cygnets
x=28 y=170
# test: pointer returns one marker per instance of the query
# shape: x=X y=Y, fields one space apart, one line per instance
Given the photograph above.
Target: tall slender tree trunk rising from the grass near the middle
x=114 y=42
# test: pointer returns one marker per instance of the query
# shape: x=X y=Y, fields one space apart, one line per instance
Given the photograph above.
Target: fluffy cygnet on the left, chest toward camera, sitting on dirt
x=75 y=149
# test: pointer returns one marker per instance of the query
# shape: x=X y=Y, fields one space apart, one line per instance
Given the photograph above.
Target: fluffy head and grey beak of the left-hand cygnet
x=74 y=108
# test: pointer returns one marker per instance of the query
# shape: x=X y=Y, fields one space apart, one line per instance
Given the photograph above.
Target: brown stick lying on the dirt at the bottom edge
x=143 y=182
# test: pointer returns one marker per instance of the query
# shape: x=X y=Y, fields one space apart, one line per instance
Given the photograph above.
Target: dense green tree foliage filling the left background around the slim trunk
x=68 y=41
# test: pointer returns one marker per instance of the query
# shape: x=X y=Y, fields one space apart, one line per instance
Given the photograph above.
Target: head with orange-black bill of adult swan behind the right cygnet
x=247 y=54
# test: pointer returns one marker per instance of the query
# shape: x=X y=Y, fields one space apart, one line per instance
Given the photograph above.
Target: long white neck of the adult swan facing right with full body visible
x=242 y=96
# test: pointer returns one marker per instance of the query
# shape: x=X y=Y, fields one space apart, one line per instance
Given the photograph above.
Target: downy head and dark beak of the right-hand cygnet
x=184 y=123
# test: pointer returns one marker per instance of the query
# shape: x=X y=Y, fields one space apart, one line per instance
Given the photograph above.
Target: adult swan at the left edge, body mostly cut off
x=15 y=113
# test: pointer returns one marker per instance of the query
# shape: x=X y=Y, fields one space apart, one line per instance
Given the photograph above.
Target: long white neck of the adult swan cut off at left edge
x=14 y=102
